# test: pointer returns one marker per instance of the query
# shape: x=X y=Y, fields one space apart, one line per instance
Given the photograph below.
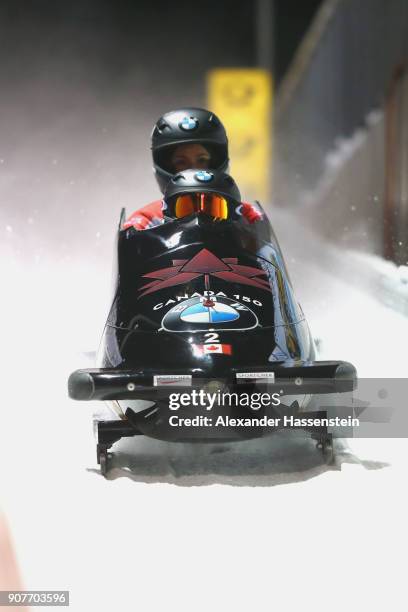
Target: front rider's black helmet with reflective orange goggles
x=214 y=194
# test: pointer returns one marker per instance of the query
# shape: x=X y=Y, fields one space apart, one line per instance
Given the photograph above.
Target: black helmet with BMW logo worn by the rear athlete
x=187 y=126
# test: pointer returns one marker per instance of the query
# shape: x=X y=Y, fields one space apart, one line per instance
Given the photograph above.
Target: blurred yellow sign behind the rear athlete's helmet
x=242 y=99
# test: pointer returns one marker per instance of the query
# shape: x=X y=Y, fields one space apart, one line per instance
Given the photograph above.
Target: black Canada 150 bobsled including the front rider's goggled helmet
x=203 y=309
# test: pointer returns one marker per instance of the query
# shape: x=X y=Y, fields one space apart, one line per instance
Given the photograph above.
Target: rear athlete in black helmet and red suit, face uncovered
x=186 y=138
